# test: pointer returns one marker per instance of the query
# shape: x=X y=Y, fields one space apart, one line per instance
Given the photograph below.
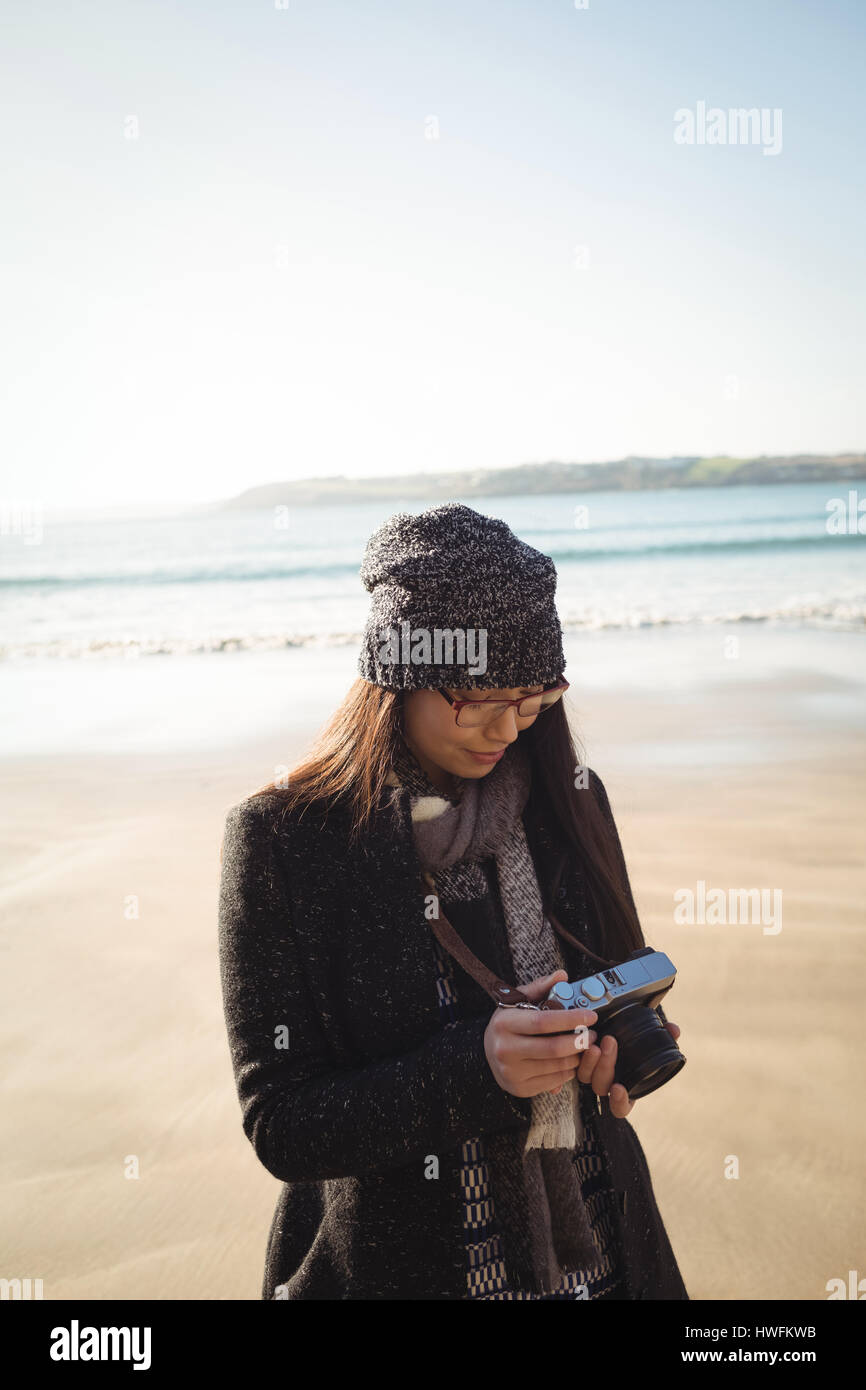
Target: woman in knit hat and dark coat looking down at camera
x=432 y=1143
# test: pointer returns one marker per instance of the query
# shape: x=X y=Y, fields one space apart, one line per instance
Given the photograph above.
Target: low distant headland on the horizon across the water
x=536 y=479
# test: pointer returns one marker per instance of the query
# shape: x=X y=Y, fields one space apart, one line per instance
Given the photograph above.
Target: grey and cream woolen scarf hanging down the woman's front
x=537 y=1192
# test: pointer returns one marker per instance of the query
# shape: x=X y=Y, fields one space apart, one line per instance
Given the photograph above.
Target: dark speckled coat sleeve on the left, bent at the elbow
x=307 y=1120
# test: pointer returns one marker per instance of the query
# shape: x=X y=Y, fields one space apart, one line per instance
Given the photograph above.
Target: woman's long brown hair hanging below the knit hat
x=352 y=755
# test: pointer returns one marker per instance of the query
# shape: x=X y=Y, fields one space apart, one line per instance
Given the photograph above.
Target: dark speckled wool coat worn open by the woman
x=350 y=1086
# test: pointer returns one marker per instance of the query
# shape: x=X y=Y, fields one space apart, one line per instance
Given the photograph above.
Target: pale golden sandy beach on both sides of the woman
x=127 y=1174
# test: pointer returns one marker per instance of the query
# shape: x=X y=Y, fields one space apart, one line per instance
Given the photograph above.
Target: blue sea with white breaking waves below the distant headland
x=276 y=579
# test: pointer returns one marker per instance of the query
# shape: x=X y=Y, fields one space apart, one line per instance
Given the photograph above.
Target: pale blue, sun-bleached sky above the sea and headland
x=245 y=244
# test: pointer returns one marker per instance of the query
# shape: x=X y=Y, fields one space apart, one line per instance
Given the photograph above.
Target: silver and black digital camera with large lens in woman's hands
x=626 y=997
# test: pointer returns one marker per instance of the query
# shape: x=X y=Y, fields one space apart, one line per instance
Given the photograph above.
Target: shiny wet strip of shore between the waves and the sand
x=190 y=705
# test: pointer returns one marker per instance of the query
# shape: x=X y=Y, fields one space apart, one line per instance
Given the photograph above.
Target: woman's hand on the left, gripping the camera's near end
x=523 y=1054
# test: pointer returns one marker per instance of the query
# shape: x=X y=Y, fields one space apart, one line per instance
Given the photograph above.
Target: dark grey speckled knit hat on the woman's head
x=458 y=601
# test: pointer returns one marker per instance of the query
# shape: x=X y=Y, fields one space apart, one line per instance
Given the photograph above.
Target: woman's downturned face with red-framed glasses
x=447 y=751
